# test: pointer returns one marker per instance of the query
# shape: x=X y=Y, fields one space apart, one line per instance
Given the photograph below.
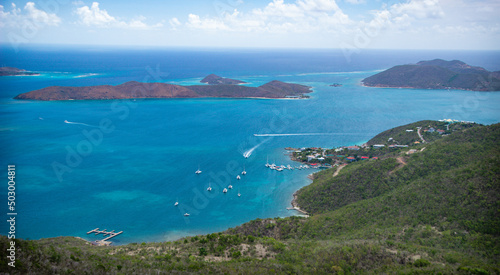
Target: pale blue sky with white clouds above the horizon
x=341 y=24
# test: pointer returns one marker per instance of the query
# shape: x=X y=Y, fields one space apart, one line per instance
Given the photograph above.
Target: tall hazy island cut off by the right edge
x=437 y=74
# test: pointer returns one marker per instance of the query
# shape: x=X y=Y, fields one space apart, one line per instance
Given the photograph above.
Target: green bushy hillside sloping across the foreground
x=434 y=211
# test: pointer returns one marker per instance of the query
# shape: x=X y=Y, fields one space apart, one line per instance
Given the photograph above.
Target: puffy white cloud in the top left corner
x=29 y=15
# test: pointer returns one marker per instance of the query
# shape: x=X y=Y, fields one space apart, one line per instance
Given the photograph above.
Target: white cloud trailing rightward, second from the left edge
x=97 y=17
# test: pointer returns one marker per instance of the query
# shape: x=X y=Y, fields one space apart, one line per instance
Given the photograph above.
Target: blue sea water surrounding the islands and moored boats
x=129 y=176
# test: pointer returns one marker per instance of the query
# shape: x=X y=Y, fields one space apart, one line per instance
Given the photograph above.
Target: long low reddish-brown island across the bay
x=134 y=89
